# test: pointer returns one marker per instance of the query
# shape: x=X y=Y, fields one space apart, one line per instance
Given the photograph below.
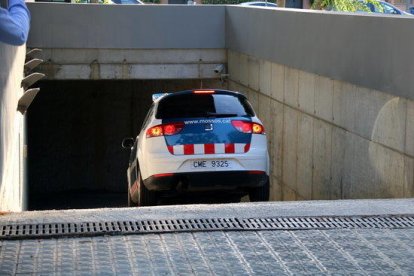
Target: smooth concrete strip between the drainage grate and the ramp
x=239 y=210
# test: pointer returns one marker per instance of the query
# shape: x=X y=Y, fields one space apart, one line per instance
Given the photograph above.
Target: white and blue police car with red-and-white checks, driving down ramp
x=198 y=141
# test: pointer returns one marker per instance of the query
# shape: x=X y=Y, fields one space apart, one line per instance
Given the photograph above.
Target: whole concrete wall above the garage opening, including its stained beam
x=128 y=42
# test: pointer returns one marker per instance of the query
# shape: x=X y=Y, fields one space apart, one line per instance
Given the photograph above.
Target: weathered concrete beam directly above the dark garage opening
x=72 y=64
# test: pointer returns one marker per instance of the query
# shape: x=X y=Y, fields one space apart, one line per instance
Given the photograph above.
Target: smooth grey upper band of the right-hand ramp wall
x=364 y=49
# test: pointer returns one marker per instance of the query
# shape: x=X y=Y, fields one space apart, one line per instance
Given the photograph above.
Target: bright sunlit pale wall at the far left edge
x=12 y=191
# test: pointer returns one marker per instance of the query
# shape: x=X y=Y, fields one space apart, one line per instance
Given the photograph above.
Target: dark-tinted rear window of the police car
x=203 y=105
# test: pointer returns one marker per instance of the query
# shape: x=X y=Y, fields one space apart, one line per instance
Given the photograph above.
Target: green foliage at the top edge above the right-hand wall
x=345 y=5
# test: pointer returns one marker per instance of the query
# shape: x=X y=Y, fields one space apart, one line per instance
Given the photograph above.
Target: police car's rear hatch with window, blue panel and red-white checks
x=208 y=123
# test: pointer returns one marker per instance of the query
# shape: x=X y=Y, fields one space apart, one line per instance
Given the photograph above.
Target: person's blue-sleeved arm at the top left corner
x=14 y=23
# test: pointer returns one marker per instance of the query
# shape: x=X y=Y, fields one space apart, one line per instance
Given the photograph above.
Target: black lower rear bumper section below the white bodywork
x=206 y=181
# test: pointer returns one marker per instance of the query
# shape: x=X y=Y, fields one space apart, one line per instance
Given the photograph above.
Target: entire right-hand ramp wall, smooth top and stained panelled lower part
x=336 y=96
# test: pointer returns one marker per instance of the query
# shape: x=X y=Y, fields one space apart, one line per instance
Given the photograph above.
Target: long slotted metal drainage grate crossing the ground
x=50 y=230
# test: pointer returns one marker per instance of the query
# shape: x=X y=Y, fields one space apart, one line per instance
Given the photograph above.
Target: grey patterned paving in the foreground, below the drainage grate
x=312 y=252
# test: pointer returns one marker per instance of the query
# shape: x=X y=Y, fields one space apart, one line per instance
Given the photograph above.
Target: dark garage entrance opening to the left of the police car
x=75 y=130
